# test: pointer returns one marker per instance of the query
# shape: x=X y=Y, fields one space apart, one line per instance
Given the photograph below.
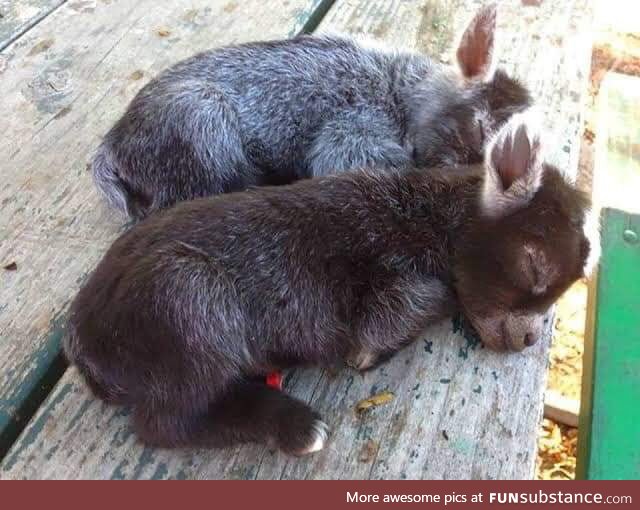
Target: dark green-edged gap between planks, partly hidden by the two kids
x=17 y=408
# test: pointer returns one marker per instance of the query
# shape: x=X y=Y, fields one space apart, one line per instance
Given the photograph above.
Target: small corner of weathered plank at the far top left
x=18 y=16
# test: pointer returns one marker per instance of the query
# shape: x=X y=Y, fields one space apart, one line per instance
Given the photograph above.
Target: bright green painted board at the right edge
x=609 y=443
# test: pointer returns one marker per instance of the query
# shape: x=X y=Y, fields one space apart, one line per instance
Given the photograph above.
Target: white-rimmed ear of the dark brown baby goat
x=513 y=166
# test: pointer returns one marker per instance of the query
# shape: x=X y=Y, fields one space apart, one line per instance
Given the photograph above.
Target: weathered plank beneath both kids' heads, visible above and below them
x=459 y=411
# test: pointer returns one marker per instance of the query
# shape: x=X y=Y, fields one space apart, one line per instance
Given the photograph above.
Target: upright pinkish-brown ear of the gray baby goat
x=475 y=51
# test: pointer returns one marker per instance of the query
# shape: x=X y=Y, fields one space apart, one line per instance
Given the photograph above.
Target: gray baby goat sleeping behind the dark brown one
x=275 y=112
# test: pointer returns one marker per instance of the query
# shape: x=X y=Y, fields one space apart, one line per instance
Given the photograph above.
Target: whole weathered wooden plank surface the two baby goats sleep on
x=68 y=71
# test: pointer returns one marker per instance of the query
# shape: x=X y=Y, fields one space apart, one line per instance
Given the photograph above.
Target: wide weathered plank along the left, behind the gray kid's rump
x=65 y=82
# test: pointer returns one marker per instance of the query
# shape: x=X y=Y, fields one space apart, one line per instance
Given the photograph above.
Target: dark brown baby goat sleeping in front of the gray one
x=190 y=308
